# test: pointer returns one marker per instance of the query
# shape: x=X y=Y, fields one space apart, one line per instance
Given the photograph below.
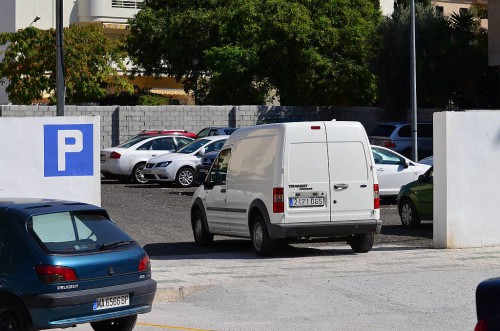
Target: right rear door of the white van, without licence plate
x=351 y=178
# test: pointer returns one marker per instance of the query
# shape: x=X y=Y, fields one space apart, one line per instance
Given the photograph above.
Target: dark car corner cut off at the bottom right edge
x=487 y=305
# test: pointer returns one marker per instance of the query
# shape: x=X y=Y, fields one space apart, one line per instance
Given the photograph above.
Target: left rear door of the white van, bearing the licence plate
x=306 y=179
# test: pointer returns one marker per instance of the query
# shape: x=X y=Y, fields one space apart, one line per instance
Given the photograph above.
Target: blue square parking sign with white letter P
x=68 y=150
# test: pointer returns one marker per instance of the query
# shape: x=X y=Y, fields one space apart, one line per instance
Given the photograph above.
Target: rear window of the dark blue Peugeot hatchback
x=76 y=232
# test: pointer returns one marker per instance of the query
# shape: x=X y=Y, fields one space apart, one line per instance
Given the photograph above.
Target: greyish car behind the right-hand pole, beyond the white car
x=397 y=136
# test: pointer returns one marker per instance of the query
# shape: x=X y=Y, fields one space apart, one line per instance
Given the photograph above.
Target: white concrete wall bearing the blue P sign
x=51 y=157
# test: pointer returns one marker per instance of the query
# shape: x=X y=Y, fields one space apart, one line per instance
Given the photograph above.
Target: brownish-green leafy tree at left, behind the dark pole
x=92 y=63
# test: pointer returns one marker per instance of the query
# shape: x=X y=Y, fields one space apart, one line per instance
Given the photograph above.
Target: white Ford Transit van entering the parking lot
x=291 y=180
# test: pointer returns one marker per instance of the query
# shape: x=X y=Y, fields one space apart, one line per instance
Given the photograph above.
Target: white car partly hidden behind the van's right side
x=394 y=170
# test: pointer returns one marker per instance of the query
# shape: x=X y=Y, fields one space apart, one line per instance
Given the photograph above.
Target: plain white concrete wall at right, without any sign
x=466 y=179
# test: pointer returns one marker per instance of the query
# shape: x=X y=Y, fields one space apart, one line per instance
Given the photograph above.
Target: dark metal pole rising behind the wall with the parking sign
x=60 y=88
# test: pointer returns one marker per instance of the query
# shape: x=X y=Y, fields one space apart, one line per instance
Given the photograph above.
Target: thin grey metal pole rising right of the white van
x=413 y=66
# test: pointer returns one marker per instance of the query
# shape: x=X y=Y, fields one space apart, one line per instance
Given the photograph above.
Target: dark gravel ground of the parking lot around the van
x=158 y=218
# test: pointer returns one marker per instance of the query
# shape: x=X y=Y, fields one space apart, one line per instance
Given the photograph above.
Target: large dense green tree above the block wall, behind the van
x=310 y=52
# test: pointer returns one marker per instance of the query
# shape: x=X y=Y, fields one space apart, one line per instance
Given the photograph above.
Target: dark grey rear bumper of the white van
x=324 y=229
